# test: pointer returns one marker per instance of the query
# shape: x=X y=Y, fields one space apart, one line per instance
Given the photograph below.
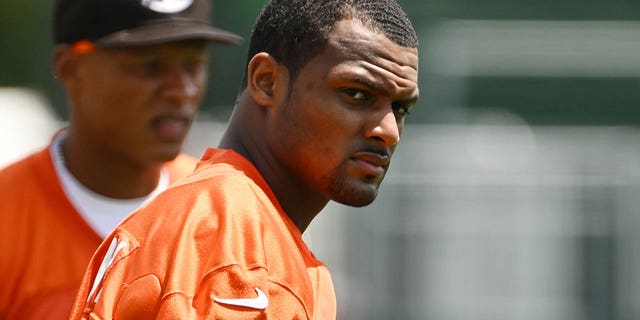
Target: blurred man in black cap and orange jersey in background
x=135 y=72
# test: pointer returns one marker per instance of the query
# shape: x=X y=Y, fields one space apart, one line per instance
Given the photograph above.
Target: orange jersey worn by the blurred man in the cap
x=45 y=244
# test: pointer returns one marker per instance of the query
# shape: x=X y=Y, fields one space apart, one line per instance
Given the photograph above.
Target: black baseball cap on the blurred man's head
x=125 y=23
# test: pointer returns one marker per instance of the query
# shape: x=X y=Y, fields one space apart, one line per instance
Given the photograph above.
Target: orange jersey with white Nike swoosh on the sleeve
x=217 y=245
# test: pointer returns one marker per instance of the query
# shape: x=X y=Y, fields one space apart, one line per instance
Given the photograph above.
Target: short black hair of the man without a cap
x=294 y=31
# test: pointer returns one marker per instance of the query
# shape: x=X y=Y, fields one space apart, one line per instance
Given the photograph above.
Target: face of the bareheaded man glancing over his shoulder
x=345 y=113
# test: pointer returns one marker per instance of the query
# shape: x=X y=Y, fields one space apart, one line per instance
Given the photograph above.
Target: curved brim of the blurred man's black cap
x=167 y=32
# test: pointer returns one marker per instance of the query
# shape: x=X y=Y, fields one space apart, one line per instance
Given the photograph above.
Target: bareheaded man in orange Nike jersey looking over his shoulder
x=321 y=110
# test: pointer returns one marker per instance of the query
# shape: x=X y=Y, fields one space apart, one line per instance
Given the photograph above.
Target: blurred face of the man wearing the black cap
x=139 y=103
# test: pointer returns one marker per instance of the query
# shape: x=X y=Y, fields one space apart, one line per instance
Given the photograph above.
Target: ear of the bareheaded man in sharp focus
x=267 y=80
